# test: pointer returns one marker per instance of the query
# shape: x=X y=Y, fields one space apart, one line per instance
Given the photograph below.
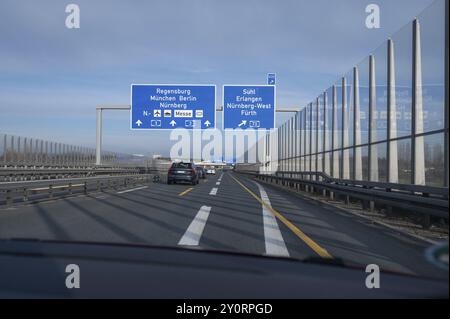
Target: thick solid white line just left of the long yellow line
x=272 y=235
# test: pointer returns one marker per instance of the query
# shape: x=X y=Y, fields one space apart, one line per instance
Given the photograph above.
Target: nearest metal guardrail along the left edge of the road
x=33 y=191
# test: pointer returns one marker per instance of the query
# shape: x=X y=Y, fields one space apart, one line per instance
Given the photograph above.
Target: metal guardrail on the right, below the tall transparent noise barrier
x=415 y=199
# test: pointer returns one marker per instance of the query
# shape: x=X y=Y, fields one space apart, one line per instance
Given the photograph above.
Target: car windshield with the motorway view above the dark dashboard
x=236 y=127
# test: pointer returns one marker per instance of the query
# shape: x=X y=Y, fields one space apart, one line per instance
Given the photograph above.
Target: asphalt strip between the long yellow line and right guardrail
x=349 y=237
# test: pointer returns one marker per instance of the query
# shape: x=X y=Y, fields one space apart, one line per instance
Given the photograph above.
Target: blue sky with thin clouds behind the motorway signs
x=52 y=77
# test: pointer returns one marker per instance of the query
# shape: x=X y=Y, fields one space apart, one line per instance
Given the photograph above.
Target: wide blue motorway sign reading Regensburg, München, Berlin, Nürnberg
x=164 y=107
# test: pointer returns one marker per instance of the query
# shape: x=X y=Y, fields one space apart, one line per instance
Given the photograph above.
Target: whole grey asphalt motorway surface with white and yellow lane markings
x=227 y=212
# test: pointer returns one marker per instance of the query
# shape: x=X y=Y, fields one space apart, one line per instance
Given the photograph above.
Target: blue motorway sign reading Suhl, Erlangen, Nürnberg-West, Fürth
x=249 y=106
